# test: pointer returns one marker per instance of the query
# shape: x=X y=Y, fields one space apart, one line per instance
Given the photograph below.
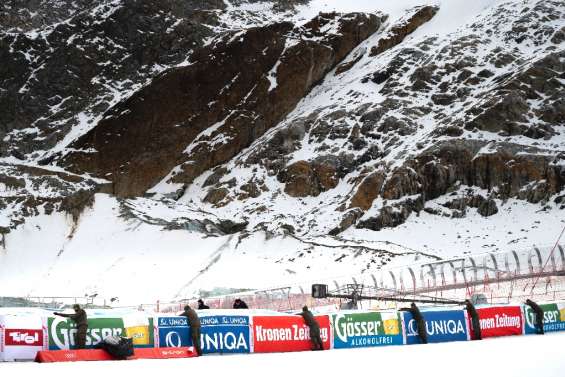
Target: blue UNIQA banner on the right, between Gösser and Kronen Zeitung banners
x=441 y=326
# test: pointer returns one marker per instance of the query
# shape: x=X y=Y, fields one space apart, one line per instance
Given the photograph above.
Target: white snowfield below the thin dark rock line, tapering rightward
x=115 y=250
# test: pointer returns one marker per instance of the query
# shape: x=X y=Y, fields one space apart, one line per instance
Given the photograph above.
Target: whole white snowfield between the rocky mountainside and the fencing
x=141 y=262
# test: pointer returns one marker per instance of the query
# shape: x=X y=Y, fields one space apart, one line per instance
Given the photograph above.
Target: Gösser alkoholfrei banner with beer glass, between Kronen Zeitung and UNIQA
x=367 y=329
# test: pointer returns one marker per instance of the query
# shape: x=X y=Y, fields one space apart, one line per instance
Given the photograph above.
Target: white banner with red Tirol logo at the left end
x=21 y=337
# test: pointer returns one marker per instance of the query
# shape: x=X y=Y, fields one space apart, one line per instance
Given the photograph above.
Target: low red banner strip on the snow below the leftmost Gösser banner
x=101 y=355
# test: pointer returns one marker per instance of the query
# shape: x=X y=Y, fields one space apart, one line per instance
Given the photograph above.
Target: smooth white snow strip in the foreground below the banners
x=518 y=356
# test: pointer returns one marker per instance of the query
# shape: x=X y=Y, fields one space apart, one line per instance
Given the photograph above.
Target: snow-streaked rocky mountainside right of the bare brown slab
x=430 y=117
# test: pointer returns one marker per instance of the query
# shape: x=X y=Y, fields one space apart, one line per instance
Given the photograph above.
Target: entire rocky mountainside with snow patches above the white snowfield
x=313 y=127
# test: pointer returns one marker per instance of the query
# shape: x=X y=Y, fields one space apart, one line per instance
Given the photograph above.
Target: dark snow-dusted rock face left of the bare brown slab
x=65 y=63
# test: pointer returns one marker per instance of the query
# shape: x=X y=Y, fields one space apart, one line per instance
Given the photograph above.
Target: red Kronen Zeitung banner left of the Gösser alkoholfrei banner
x=287 y=333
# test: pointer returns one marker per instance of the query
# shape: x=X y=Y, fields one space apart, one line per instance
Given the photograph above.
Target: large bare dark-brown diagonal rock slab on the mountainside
x=201 y=115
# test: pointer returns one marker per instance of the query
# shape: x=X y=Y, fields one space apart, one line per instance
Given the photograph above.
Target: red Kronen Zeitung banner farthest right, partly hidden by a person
x=501 y=321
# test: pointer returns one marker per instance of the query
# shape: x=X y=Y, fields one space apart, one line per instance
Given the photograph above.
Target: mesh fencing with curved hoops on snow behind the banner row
x=498 y=278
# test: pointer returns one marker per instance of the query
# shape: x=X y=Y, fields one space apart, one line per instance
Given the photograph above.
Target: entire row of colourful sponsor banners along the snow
x=23 y=334
